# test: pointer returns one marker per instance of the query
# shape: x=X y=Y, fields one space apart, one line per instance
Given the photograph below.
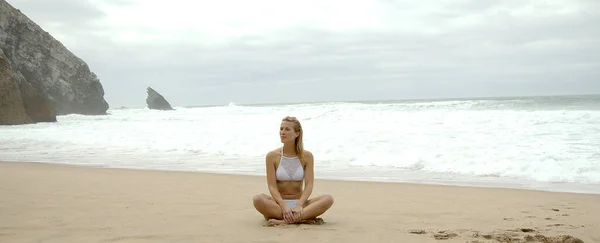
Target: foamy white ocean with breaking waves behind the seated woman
x=543 y=143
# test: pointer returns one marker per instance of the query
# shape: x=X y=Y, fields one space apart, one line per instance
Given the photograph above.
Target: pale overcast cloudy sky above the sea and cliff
x=213 y=52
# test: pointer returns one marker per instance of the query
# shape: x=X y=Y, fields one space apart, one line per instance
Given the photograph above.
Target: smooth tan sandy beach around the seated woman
x=60 y=203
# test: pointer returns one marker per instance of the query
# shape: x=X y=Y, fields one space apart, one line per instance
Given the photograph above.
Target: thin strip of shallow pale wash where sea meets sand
x=463 y=181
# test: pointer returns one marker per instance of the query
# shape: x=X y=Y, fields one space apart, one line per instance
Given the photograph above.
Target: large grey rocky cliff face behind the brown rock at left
x=46 y=68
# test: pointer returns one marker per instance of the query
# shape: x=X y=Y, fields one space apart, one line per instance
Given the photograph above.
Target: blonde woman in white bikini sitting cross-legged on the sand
x=287 y=168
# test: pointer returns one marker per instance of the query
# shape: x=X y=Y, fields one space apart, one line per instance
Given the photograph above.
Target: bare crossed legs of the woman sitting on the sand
x=314 y=207
